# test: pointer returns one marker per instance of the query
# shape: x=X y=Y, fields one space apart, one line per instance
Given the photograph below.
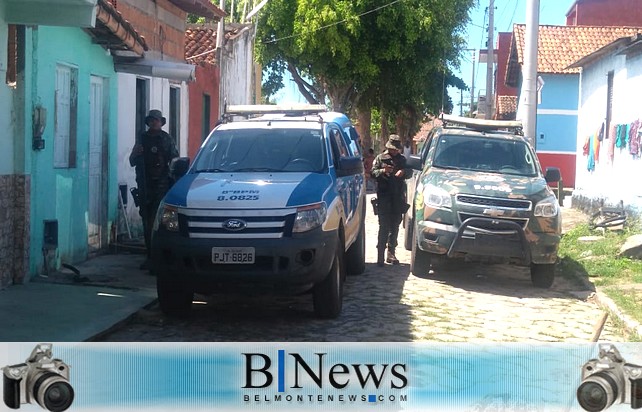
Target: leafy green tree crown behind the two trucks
x=393 y=55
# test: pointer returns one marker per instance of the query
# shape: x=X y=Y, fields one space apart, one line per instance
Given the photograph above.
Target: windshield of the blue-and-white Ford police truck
x=262 y=150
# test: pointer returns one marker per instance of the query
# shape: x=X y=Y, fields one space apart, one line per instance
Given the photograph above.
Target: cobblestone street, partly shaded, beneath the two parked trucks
x=466 y=303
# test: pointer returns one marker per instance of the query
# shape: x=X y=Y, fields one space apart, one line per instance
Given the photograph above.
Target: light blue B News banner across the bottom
x=323 y=376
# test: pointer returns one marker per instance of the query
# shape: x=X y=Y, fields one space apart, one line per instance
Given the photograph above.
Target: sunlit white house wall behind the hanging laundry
x=614 y=179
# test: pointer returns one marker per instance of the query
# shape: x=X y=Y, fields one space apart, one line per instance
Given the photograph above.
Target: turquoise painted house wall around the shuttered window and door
x=57 y=193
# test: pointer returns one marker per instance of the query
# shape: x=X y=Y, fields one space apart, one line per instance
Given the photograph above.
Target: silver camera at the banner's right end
x=609 y=380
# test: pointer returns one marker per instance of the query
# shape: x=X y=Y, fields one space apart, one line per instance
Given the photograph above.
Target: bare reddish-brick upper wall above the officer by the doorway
x=161 y=23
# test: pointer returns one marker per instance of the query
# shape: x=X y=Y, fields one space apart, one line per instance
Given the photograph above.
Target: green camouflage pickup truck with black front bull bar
x=479 y=194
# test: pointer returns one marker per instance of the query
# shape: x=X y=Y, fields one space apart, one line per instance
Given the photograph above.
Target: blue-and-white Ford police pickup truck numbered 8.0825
x=272 y=202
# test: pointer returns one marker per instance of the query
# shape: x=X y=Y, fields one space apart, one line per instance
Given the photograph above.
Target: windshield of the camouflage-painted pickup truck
x=485 y=154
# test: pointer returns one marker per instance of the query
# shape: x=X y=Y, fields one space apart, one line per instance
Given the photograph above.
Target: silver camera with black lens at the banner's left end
x=41 y=379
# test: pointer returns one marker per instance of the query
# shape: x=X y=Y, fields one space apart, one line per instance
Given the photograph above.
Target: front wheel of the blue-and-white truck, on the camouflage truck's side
x=328 y=295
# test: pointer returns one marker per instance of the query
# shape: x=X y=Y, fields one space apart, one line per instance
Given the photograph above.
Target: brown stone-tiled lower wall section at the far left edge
x=14 y=228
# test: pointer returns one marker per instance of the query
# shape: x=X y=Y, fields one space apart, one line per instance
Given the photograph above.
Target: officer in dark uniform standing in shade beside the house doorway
x=151 y=155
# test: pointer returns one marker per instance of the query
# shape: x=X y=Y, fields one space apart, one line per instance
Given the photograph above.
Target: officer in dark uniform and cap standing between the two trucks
x=389 y=169
